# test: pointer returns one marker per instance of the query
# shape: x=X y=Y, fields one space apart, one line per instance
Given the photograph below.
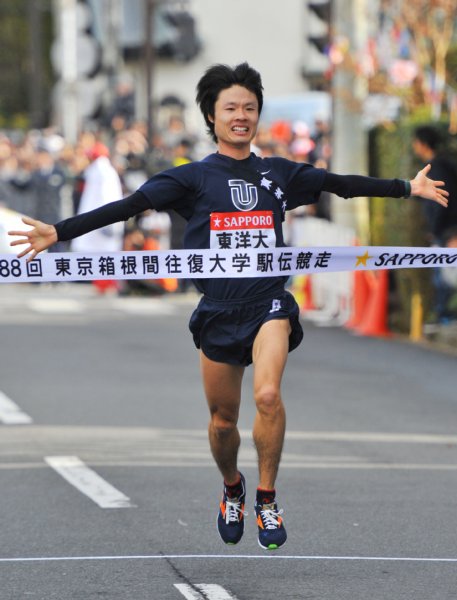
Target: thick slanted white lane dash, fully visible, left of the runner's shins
x=73 y=470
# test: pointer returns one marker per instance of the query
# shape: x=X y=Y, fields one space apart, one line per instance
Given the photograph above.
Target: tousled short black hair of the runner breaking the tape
x=220 y=77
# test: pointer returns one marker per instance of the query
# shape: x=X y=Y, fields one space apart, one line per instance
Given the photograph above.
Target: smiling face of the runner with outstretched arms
x=236 y=114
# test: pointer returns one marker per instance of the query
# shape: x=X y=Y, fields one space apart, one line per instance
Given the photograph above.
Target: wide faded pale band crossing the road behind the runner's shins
x=149 y=447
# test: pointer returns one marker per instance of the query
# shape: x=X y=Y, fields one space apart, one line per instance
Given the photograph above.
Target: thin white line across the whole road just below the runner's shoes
x=413 y=559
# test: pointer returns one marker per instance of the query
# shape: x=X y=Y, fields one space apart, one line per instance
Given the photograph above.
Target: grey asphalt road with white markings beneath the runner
x=108 y=489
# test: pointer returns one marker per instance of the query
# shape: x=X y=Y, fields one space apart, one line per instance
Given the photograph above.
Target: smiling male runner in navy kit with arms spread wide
x=238 y=321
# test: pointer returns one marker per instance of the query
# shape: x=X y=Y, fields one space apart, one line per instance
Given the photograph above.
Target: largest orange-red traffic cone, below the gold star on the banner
x=374 y=321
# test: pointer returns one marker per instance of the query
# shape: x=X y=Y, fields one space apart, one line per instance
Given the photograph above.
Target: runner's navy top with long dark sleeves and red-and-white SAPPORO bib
x=227 y=208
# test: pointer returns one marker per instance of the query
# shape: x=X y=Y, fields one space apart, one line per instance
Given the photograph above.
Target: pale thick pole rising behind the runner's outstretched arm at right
x=350 y=148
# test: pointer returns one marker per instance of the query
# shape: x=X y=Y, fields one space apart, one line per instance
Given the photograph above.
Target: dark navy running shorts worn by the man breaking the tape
x=225 y=330
